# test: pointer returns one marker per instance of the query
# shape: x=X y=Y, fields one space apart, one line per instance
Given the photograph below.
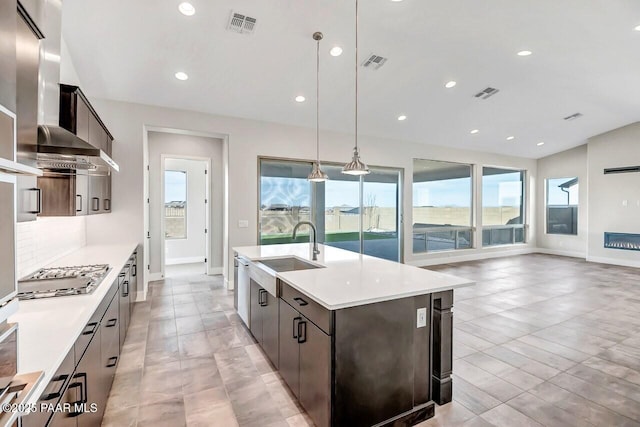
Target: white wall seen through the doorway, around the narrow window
x=192 y=248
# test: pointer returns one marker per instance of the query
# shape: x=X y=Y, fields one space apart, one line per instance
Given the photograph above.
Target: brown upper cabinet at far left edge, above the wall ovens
x=8 y=54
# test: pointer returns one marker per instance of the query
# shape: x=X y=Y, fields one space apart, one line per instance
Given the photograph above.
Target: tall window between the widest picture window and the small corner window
x=502 y=206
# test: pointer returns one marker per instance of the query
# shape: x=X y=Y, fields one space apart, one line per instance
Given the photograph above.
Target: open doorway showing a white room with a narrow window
x=185 y=215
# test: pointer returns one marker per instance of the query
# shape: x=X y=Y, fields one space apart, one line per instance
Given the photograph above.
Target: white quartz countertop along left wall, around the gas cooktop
x=49 y=327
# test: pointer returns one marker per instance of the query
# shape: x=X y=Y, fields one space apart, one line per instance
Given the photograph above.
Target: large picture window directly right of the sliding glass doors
x=442 y=211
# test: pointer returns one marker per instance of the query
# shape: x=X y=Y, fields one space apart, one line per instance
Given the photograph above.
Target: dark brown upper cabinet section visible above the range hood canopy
x=78 y=116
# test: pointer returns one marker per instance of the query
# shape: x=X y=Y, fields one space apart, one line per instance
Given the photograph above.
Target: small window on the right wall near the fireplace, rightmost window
x=562 y=206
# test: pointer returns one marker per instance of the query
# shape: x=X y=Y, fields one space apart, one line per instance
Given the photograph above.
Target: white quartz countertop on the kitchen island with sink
x=350 y=279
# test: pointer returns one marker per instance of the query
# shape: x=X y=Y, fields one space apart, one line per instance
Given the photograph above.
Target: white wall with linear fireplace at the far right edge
x=607 y=193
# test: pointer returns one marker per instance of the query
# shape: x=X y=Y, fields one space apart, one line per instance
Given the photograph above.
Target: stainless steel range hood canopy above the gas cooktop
x=60 y=149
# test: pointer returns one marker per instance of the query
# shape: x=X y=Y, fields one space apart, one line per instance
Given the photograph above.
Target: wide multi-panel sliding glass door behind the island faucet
x=359 y=214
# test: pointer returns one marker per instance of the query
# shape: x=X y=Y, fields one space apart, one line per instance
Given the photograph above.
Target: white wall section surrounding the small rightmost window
x=566 y=164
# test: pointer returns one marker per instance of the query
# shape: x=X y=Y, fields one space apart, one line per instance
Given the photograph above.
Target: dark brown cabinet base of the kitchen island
x=368 y=365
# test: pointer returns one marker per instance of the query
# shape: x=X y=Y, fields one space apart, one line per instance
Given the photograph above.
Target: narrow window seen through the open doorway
x=175 y=204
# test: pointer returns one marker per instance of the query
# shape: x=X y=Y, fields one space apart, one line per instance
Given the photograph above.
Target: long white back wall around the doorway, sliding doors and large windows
x=248 y=139
